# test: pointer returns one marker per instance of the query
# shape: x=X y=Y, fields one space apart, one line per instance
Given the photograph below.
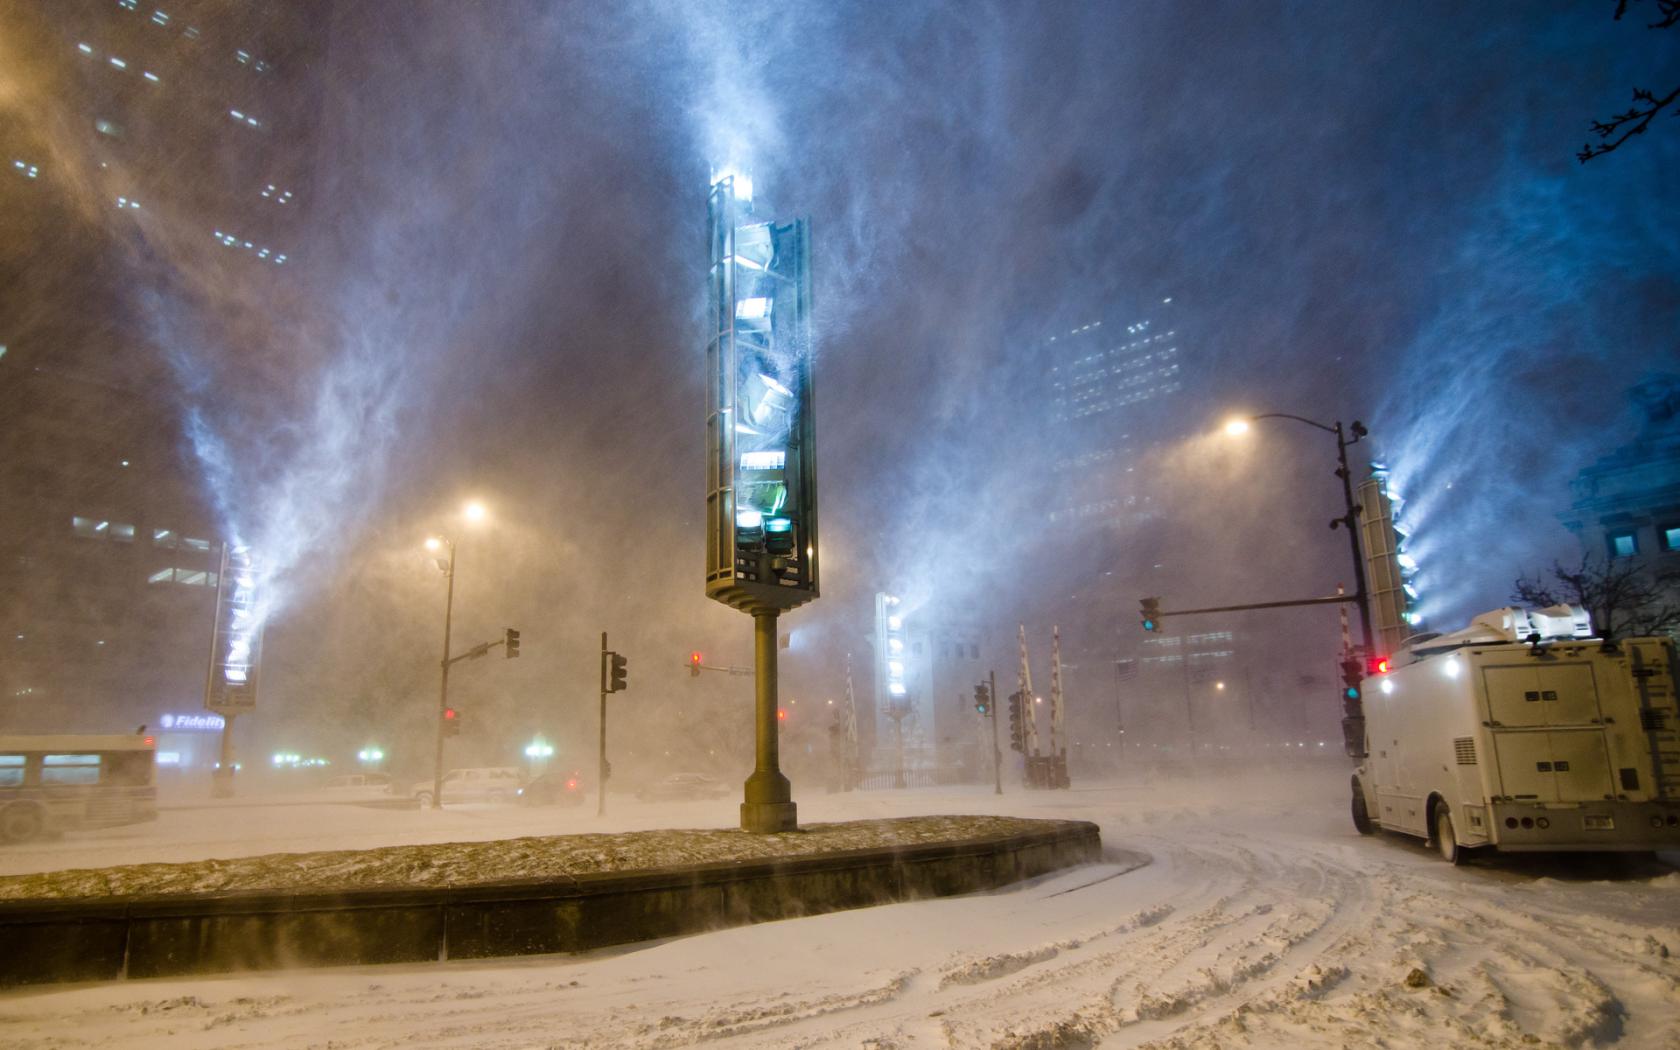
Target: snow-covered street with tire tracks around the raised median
x=1261 y=920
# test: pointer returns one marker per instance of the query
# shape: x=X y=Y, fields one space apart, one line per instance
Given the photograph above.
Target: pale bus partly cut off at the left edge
x=61 y=784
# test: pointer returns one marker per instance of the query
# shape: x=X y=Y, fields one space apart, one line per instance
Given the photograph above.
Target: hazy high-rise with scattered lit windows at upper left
x=155 y=172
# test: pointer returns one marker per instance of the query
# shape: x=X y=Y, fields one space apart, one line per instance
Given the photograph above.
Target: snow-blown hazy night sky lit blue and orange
x=1358 y=211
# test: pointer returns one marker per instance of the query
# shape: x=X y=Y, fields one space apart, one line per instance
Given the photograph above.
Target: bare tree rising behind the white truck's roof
x=1624 y=599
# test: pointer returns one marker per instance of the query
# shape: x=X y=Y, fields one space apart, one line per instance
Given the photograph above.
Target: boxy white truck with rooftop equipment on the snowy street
x=1525 y=733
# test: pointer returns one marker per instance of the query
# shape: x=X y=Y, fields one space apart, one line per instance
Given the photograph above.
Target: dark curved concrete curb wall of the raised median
x=218 y=933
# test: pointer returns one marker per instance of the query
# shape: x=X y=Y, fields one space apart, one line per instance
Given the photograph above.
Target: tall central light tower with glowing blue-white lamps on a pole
x=762 y=465
